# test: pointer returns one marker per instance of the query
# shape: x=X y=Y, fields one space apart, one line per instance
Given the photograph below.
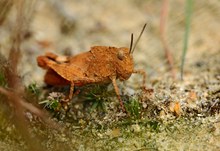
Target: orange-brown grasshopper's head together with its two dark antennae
x=125 y=64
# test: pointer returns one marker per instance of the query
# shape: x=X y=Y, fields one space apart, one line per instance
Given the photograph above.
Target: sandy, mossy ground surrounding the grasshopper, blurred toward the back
x=176 y=115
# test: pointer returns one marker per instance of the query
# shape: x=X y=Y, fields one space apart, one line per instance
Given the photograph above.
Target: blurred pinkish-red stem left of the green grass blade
x=164 y=14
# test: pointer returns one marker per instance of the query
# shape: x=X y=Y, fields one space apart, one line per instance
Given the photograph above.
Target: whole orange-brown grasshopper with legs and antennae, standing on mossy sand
x=101 y=64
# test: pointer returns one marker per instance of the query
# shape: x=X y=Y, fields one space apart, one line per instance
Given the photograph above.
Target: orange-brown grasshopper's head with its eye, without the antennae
x=124 y=63
